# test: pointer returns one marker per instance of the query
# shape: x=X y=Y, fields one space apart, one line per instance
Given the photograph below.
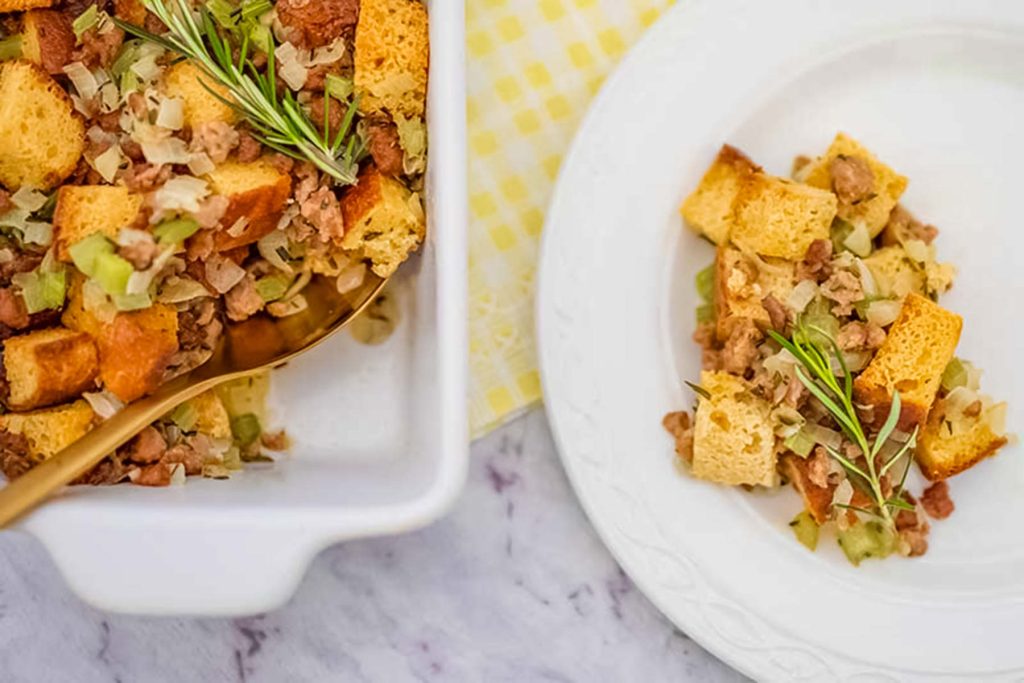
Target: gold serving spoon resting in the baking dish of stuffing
x=245 y=349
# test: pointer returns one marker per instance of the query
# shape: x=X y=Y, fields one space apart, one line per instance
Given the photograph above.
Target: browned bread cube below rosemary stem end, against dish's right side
x=383 y=222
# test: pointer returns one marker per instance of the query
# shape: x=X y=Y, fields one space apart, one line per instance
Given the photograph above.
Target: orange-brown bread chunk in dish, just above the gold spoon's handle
x=136 y=348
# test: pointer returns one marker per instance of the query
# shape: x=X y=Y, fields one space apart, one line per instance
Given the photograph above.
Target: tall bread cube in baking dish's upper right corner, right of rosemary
x=393 y=53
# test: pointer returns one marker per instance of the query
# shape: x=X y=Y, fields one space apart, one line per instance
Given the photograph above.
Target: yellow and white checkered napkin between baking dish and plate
x=534 y=67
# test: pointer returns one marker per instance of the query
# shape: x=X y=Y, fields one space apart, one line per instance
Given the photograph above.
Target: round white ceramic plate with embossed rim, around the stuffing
x=934 y=88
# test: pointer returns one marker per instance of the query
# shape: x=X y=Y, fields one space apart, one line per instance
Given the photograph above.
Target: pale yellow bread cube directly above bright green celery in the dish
x=83 y=210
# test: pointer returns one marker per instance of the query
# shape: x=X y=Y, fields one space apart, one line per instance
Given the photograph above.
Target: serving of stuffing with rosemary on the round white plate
x=827 y=361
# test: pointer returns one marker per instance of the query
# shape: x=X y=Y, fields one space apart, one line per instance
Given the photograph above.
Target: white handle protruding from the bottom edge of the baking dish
x=180 y=571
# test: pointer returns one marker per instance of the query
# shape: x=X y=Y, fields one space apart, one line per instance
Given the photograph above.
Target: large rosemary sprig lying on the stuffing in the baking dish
x=278 y=119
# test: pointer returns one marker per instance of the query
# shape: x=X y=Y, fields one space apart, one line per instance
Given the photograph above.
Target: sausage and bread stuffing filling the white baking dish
x=168 y=167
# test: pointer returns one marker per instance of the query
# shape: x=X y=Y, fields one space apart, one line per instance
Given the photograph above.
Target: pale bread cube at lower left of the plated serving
x=734 y=443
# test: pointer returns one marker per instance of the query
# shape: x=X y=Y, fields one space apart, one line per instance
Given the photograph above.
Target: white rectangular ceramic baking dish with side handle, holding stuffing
x=380 y=437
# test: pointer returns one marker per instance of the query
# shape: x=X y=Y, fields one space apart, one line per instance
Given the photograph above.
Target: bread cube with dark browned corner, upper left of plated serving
x=709 y=208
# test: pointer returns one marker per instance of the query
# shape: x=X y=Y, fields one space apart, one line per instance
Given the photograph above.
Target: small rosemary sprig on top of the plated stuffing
x=816 y=373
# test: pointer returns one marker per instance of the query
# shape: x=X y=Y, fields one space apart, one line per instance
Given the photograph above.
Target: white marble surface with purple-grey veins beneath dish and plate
x=513 y=586
